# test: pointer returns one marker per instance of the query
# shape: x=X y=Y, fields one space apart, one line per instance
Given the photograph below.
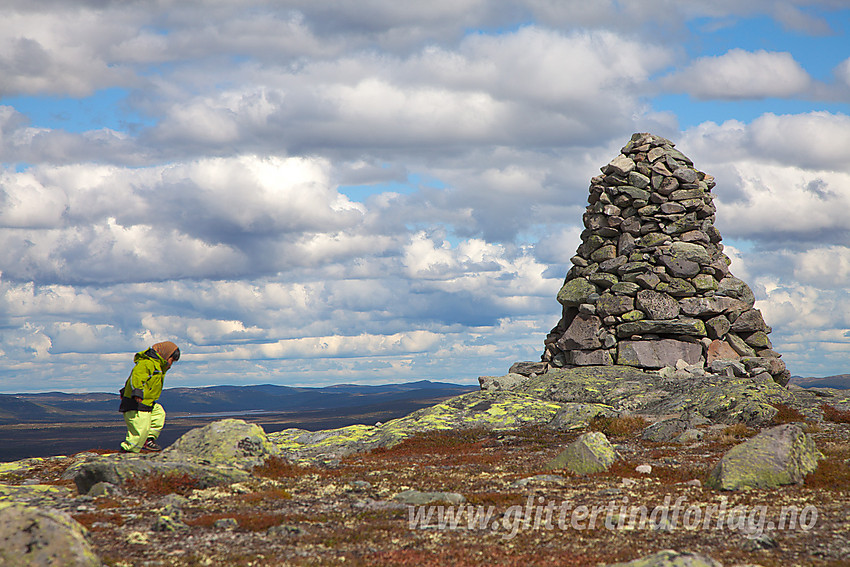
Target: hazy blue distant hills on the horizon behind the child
x=53 y=406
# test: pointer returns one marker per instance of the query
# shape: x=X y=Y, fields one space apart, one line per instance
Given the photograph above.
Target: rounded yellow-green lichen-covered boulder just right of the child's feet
x=232 y=441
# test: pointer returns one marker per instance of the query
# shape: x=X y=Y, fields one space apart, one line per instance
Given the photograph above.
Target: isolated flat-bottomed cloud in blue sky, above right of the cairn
x=740 y=74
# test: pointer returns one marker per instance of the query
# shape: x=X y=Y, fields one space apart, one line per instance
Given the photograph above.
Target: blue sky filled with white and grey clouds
x=315 y=192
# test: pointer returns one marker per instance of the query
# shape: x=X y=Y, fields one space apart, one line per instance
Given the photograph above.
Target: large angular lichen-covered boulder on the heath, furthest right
x=780 y=455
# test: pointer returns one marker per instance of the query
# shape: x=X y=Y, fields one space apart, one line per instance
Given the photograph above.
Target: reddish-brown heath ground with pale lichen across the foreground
x=370 y=507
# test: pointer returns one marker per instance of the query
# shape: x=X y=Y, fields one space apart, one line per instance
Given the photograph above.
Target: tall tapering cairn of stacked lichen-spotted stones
x=650 y=285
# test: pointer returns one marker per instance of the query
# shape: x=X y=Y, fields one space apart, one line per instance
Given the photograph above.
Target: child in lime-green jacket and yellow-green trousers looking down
x=142 y=414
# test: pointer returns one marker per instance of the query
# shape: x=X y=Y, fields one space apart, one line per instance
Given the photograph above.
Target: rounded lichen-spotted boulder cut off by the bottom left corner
x=40 y=537
